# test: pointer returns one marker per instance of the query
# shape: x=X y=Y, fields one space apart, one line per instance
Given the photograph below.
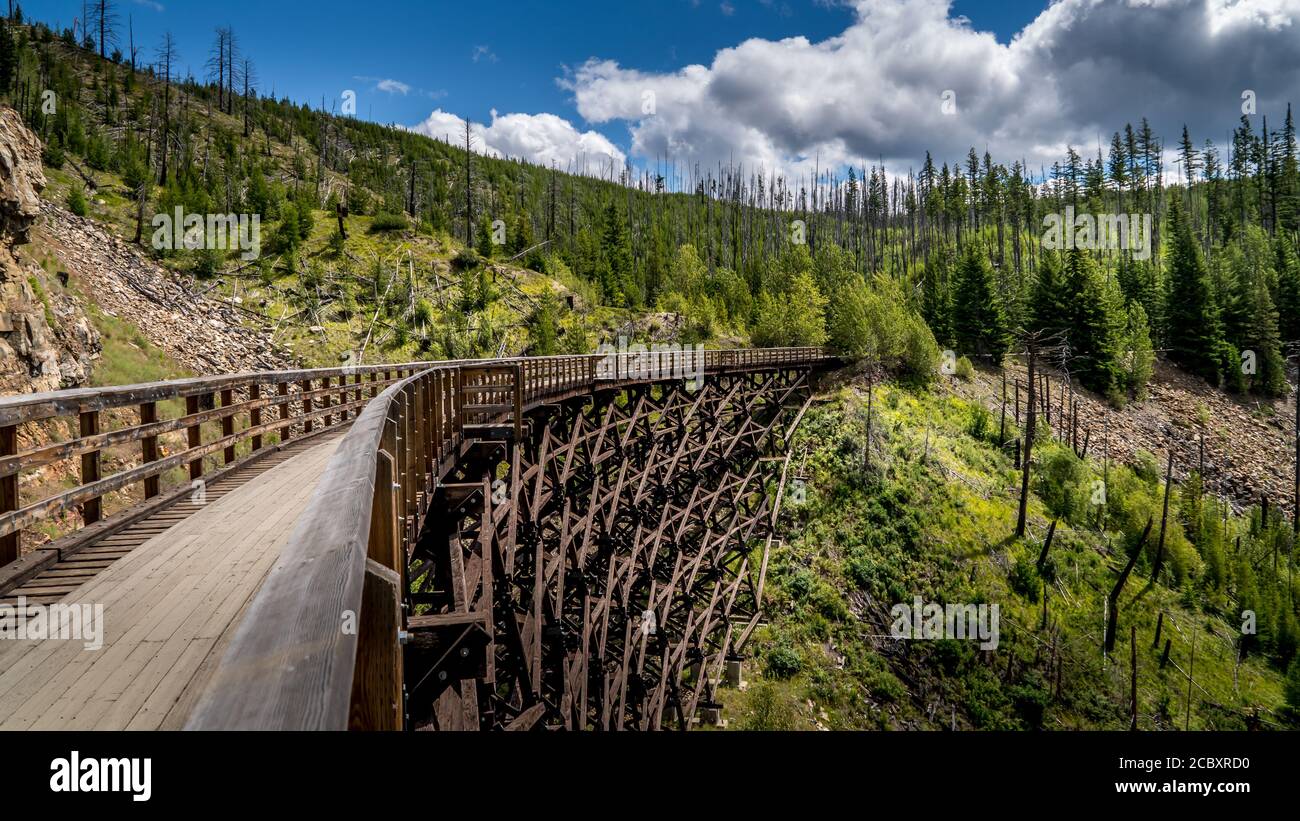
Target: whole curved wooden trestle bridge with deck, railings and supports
x=573 y=542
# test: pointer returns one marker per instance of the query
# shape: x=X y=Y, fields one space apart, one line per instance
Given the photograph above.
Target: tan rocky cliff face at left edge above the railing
x=46 y=340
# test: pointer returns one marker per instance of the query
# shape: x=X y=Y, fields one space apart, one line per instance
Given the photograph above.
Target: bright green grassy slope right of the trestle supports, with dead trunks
x=934 y=518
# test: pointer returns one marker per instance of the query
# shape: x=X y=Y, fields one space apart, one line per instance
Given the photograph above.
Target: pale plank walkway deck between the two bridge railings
x=170 y=606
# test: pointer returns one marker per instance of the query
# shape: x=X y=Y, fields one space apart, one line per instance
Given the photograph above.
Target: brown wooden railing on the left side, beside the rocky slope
x=218 y=424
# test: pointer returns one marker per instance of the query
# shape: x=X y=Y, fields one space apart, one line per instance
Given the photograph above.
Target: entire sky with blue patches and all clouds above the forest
x=864 y=84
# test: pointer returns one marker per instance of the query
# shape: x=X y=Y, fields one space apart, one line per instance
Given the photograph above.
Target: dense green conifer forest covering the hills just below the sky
x=959 y=242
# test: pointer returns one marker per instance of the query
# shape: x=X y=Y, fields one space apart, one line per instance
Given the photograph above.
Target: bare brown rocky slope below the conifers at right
x=1250 y=442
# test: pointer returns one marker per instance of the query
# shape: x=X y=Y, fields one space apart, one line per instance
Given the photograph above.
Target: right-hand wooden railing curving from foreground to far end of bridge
x=291 y=666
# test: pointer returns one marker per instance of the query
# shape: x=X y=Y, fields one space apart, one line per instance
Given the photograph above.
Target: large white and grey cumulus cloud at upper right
x=1073 y=76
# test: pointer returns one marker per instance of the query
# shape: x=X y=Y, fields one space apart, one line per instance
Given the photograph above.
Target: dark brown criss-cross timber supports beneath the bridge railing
x=600 y=571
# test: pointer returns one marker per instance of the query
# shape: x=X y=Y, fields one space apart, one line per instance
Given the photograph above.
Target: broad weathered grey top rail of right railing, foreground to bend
x=292 y=662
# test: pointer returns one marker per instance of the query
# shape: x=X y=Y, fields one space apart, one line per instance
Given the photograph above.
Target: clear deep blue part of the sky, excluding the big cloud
x=473 y=58
